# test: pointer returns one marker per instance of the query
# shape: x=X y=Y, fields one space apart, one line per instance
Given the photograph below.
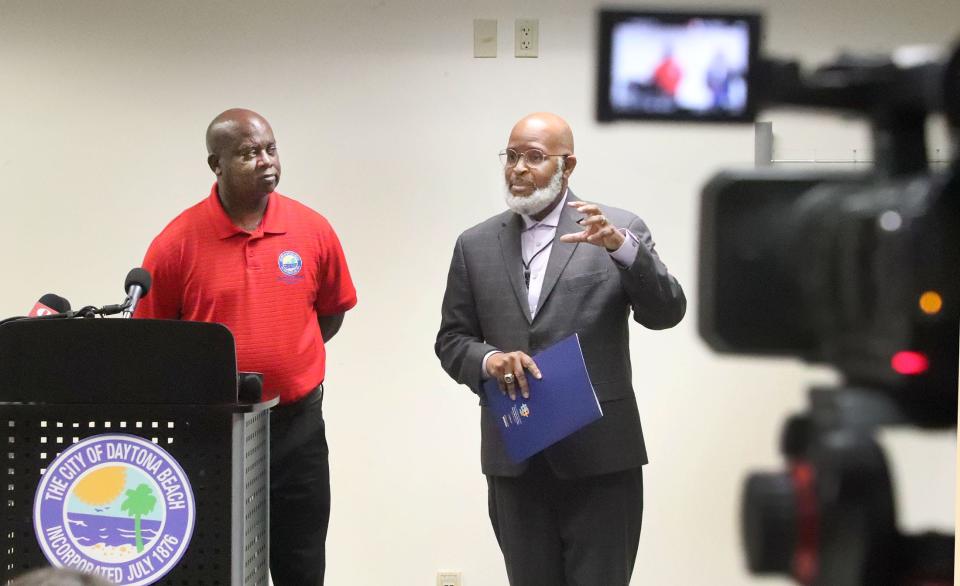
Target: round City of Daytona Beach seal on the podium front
x=117 y=506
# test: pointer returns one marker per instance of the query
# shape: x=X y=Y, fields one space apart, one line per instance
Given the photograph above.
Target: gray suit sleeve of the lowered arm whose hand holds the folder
x=460 y=343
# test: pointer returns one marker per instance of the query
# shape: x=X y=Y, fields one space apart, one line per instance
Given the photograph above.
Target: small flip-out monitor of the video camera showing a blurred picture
x=676 y=67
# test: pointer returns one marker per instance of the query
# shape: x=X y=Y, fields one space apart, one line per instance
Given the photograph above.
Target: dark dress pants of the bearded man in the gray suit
x=567 y=532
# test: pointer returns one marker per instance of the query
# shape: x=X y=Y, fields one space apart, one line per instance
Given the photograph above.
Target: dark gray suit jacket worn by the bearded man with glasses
x=585 y=292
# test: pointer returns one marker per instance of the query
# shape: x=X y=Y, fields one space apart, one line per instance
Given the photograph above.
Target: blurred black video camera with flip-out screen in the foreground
x=859 y=271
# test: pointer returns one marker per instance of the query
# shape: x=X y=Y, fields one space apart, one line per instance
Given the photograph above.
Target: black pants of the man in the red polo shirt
x=299 y=492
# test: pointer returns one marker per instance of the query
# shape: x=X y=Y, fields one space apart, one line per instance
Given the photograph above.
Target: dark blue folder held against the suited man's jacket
x=560 y=403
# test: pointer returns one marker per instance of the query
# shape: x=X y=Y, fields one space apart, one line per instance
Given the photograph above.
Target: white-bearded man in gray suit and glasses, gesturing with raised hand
x=549 y=267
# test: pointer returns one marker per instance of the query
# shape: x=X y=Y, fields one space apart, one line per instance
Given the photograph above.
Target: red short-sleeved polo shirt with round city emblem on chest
x=268 y=286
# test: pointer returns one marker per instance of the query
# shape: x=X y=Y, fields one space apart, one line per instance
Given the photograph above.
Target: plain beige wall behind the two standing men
x=389 y=127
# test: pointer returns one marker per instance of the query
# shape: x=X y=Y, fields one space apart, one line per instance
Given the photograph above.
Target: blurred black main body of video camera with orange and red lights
x=858 y=271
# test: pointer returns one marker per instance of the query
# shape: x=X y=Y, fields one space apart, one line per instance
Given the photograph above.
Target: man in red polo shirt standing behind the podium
x=272 y=270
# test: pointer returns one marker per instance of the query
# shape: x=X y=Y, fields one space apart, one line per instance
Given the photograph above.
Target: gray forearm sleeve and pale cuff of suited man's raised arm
x=656 y=296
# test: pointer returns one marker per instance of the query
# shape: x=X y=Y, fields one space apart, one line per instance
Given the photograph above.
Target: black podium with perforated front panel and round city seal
x=84 y=406
